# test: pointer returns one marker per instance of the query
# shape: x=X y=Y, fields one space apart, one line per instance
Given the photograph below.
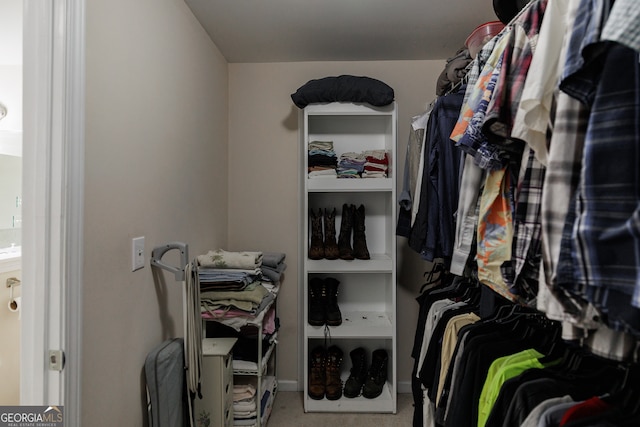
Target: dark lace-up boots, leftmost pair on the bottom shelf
x=324 y=373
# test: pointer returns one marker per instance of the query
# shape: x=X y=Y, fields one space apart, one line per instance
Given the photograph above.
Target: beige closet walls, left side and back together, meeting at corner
x=182 y=146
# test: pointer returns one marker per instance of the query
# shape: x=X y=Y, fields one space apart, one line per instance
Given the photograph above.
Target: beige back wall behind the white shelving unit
x=264 y=171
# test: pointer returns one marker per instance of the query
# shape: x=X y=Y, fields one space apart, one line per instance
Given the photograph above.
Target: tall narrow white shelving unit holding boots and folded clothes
x=367 y=290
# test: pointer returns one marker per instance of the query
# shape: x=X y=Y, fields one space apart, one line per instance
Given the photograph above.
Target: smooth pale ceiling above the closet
x=339 y=30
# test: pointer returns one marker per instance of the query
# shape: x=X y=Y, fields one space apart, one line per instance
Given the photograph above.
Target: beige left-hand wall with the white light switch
x=156 y=166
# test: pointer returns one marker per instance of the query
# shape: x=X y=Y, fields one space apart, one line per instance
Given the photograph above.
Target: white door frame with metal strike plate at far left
x=53 y=182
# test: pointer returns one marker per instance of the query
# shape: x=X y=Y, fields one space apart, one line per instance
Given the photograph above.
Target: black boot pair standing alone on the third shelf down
x=323 y=302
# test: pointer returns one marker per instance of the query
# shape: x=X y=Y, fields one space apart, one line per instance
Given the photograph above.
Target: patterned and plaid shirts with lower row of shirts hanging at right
x=548 y=220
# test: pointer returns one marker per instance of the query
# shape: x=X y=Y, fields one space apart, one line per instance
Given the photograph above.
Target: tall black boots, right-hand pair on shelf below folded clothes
x=352 y=222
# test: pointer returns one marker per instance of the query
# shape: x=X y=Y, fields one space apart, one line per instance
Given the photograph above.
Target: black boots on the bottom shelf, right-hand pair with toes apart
x=368 y=381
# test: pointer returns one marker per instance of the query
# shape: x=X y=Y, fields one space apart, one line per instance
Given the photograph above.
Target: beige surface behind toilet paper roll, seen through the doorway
x=9 y=342
